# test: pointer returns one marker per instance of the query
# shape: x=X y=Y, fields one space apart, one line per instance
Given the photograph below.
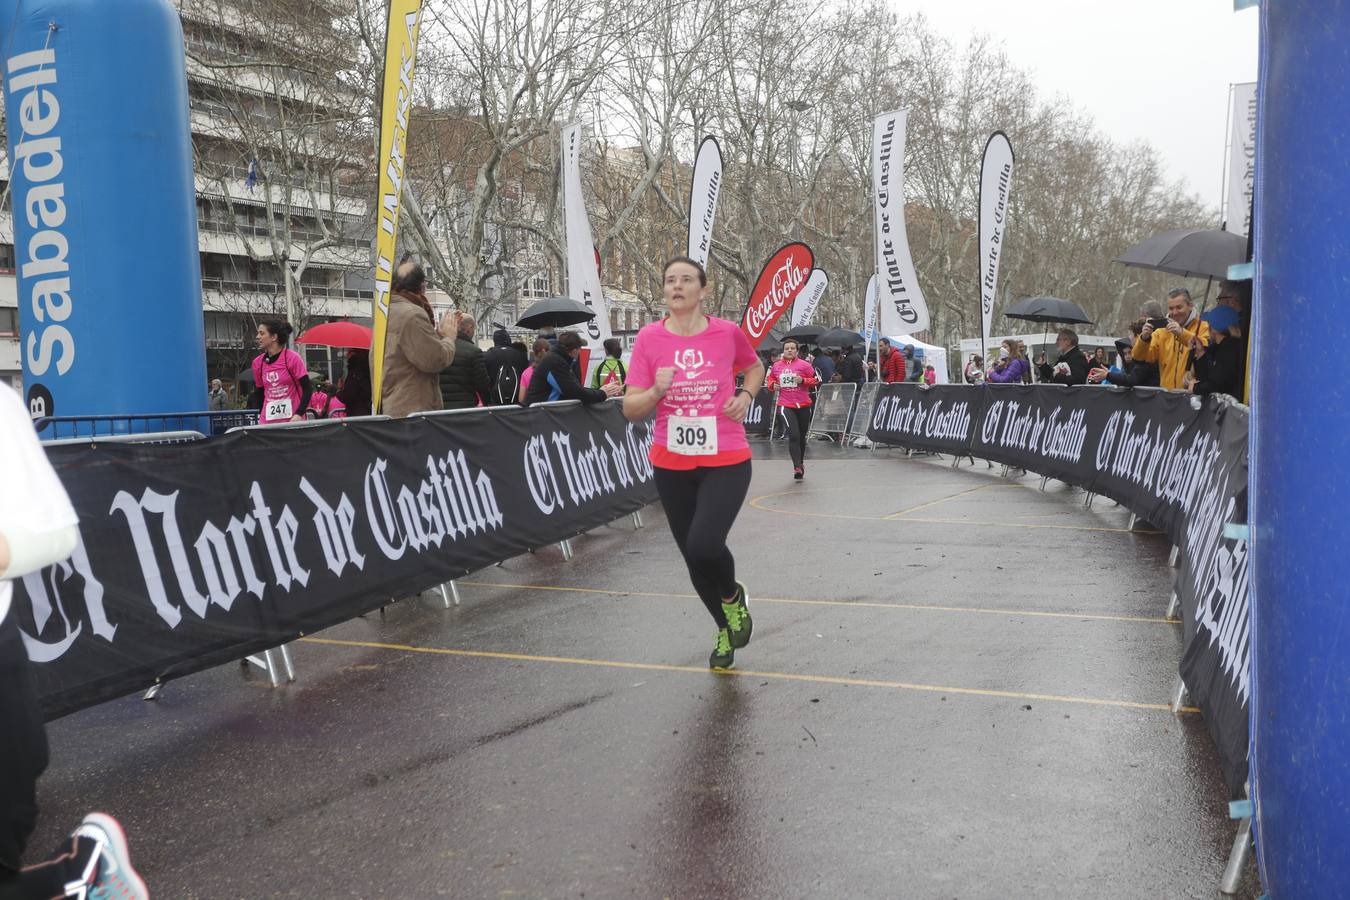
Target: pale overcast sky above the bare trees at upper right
x=1147 y=69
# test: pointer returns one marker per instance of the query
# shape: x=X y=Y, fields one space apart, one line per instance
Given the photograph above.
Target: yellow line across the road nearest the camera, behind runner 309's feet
x=750 y=674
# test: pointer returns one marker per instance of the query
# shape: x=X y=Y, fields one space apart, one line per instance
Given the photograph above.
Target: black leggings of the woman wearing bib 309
x=701 y=505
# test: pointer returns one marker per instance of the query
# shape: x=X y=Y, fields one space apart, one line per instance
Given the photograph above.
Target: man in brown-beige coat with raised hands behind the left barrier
x=416 y=347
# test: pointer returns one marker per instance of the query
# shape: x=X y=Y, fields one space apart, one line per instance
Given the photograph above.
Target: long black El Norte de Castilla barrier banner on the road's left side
x=198 y=554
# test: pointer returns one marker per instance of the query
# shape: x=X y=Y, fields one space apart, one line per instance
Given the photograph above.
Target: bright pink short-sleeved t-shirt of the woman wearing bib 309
x=705 y=378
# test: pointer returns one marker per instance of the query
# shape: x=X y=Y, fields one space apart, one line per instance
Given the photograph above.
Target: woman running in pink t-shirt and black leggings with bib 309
x=685 y=369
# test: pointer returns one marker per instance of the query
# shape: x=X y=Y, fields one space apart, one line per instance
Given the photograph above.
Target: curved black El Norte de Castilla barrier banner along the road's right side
x=1178 y=462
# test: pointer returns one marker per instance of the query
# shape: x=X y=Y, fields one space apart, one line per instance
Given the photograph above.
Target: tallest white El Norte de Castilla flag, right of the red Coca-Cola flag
x=898 y=295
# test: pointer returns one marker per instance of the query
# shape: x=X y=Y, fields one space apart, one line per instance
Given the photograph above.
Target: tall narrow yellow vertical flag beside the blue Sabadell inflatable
x=400 y=57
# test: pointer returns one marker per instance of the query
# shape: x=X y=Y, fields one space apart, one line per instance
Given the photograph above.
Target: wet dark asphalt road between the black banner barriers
x=956 y=689
